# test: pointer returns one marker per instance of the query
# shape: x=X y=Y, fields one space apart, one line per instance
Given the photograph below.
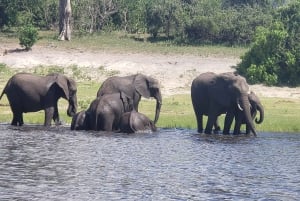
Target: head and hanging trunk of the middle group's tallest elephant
x=149 y=87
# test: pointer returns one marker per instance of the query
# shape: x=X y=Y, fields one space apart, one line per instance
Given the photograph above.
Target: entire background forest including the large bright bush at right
x=270 y=27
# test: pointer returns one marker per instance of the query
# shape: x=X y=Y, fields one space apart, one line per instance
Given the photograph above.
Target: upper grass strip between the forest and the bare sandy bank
x=124 y=43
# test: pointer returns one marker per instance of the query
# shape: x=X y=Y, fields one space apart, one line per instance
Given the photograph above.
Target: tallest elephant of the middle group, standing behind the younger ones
x=134 y=86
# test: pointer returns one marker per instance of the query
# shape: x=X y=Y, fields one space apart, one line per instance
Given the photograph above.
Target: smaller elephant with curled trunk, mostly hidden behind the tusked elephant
x=240 y=117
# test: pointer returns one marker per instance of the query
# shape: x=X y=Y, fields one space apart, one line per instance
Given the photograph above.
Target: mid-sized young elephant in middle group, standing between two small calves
x=105 y=111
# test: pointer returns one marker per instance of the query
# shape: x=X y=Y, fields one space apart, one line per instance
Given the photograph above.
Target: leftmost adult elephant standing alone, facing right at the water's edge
x=30 y=93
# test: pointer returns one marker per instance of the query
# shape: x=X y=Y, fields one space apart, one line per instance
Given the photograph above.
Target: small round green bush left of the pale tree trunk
x=28 y=36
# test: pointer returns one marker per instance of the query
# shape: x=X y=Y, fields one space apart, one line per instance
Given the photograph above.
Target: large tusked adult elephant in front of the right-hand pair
x=214 y=94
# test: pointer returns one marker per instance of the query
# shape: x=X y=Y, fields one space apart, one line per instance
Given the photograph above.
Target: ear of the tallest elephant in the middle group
x=141 y=83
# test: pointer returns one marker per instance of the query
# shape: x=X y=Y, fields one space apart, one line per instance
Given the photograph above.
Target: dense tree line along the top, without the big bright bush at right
x=184 y=21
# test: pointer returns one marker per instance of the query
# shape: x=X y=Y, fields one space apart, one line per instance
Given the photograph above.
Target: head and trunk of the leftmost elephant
x=69 y=88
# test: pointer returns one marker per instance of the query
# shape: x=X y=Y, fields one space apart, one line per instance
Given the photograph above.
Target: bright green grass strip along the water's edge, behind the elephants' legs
x=281 y=115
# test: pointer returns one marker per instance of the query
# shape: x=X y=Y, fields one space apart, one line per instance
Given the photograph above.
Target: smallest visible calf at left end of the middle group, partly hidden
x=80 y=121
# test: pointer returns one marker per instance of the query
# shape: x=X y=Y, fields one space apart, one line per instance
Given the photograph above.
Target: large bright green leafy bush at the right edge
x=273 y=58
